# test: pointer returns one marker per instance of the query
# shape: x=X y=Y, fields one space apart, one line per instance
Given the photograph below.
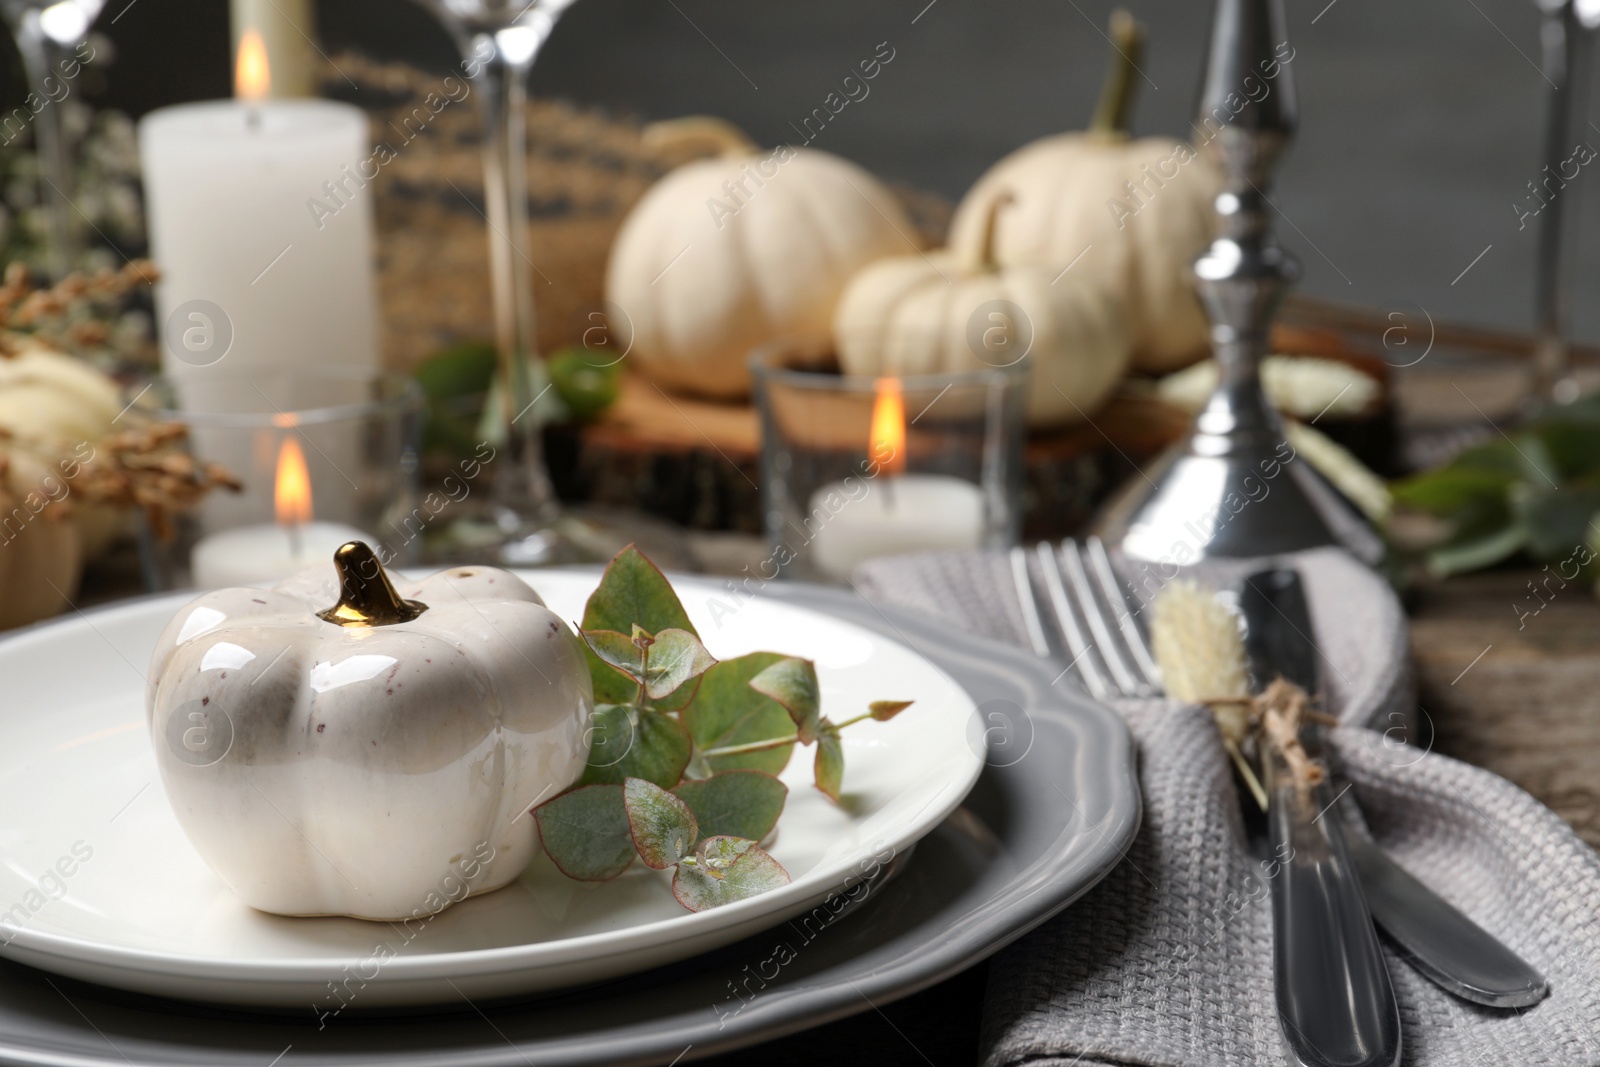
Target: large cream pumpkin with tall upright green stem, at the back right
x=1134 y=210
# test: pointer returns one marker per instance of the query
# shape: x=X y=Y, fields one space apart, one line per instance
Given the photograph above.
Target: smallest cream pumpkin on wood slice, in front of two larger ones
x=959 y=311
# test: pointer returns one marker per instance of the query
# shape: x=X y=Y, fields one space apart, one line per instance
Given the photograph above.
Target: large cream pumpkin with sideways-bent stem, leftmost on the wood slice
x=729 y=254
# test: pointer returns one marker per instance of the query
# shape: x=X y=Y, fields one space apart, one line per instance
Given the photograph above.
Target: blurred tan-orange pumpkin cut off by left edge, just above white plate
x=41 y=554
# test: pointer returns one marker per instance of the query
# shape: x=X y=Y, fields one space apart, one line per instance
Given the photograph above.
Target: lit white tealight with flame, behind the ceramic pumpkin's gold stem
x=271 y=551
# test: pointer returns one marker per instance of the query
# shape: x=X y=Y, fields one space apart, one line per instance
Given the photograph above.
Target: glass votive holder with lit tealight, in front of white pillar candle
x=322 y=457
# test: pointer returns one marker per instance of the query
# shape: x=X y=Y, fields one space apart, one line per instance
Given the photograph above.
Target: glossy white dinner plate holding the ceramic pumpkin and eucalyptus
x=98 y=881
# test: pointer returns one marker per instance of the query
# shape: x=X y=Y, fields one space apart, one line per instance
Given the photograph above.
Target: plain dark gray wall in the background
x=1420 y=119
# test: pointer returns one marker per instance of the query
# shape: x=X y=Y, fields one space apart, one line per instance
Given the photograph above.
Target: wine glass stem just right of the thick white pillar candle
x=524 y=484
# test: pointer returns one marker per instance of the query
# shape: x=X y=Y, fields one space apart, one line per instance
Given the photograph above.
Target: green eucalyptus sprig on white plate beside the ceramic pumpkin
x=687 y=749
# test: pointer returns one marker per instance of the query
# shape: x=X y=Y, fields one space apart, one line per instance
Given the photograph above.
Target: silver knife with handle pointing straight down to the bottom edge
x=1337 y=1007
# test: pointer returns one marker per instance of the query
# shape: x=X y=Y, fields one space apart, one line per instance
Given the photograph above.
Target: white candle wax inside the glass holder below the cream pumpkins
x=918 y=513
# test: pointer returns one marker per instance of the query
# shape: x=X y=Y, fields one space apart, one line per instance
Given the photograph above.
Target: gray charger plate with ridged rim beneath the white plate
x=1050 y=817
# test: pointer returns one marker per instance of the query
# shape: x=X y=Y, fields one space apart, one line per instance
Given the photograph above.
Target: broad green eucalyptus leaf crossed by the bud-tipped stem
x=729 y=713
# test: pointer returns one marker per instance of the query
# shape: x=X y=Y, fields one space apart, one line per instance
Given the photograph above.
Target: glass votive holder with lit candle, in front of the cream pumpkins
x=860 y=468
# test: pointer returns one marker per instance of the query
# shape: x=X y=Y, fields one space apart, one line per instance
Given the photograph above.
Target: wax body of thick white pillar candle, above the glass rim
x=262 y=212
